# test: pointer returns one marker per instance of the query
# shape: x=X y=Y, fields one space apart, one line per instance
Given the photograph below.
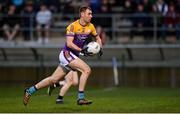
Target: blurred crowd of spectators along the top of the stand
x=18 y=14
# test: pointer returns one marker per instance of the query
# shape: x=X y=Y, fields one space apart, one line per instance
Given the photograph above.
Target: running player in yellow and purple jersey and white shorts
x=76 y=35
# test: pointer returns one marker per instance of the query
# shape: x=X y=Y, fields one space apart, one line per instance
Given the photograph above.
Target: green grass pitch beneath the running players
x=105 y=100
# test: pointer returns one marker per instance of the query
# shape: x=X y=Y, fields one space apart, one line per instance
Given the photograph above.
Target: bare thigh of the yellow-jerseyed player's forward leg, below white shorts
x=80 y=65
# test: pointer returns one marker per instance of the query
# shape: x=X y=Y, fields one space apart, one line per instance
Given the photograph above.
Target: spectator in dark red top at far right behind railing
x=169 y=24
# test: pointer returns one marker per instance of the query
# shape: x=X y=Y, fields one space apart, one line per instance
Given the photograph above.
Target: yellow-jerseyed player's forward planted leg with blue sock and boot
x=85 y=72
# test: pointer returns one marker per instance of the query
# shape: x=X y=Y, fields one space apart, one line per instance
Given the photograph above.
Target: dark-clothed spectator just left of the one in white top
x=28 y=22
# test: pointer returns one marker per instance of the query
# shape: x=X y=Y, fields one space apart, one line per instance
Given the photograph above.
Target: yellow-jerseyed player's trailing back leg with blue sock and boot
x=55 y=77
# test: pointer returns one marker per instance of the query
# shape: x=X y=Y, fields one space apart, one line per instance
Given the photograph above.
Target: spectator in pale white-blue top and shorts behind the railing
x=43 y=19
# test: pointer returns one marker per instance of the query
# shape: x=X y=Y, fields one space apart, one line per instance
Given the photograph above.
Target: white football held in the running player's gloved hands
x=93 y=47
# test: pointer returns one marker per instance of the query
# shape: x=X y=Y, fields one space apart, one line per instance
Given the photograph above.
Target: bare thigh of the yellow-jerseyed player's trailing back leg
x=58 y=73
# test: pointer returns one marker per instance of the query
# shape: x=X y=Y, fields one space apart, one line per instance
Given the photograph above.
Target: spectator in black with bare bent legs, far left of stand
x=11 y=23
